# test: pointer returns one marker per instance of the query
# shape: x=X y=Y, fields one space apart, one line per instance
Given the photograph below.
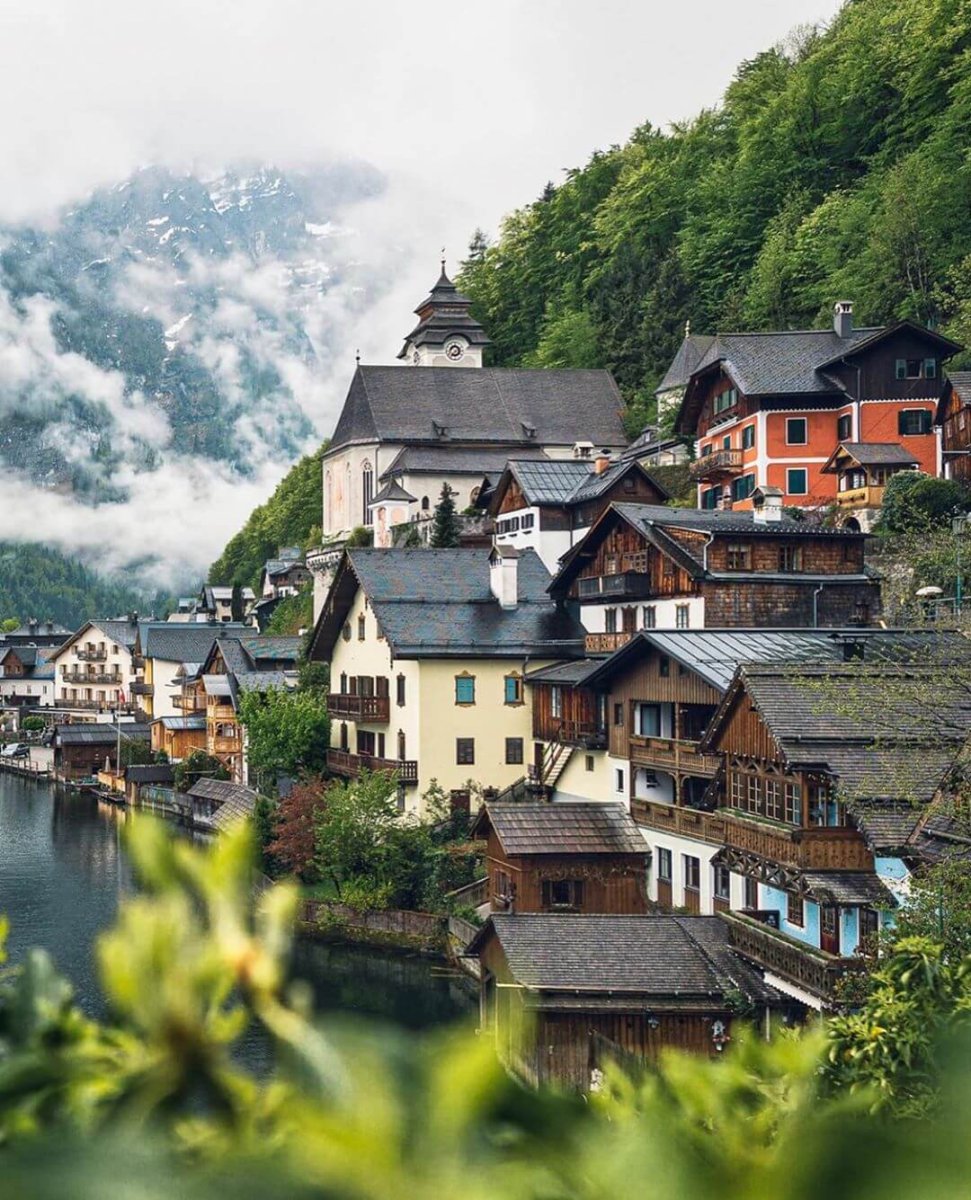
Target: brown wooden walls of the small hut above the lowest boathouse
x=613 y=884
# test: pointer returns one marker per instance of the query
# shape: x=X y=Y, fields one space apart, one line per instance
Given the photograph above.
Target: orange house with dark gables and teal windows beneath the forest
x=771 y=410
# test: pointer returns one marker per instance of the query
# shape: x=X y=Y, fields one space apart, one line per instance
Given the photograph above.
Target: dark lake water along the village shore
x=63 y=873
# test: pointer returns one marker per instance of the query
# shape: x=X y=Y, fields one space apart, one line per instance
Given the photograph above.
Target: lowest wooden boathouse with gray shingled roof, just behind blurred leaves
x=561 y=995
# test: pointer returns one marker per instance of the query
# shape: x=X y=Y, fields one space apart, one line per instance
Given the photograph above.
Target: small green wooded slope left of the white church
x=291 y=518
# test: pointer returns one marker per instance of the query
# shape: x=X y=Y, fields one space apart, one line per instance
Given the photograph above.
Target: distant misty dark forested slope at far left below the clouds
x=37 y=581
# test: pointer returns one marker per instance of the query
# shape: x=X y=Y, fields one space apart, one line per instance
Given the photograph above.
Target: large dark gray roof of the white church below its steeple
x=501 y=406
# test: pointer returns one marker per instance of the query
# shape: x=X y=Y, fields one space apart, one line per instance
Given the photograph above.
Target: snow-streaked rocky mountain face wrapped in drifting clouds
x=170 y=316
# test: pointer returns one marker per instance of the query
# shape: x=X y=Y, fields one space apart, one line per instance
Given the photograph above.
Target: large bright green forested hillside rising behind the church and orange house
x=836 y=167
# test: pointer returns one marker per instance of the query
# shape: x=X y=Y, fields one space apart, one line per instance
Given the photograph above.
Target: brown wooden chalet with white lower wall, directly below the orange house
x=646 y=567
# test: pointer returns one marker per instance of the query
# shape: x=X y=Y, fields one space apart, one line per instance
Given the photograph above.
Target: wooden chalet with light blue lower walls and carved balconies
x=825 y=770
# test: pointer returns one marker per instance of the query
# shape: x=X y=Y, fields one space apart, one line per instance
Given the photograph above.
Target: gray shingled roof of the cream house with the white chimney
x=439 y=604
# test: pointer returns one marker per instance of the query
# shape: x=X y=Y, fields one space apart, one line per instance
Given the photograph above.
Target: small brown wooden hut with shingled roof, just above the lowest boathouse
x=564 y=859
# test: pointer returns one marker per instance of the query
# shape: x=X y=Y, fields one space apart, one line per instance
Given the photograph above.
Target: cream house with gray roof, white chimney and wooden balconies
x=428 y=653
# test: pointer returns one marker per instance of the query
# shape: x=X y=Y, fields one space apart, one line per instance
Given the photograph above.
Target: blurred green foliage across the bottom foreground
x=154 y=1103
